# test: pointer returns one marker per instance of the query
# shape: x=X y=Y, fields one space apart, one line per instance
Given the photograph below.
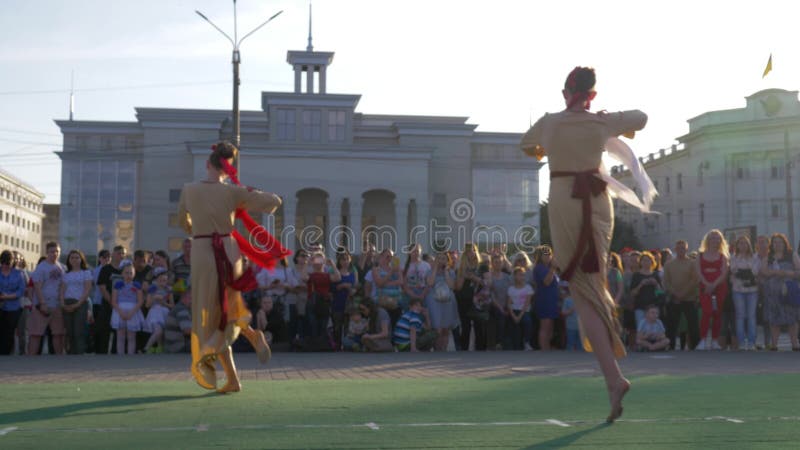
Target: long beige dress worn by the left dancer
x=206 y=208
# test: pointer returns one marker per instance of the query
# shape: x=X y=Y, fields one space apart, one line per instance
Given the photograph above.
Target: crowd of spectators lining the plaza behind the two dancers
x=667 y=299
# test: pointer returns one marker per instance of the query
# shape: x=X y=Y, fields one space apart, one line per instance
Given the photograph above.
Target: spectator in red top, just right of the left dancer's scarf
x=323 y=272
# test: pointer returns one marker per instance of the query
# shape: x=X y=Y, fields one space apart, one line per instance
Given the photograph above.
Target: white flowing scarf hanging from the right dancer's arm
x=622 y=153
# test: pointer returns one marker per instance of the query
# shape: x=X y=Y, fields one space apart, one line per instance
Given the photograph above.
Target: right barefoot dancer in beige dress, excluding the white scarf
x=573 y=141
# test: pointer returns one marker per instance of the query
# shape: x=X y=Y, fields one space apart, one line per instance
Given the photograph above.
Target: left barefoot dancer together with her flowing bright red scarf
x=207 y=209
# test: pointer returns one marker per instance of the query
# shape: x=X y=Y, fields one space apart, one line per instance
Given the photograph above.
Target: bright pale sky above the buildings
x=501 y=63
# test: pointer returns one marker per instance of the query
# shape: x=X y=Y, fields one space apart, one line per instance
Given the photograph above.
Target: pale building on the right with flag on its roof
x=729 y=172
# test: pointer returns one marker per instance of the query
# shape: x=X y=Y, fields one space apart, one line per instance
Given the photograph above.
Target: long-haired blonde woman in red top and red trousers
x=712 y=271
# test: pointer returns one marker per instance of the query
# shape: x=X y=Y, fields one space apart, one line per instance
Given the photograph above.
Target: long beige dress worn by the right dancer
x=573 y=142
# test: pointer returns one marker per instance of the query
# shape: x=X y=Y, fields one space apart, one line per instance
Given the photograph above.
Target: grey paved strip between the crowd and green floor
x=321 y=366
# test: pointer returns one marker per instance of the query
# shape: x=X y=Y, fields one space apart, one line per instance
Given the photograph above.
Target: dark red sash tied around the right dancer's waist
x=586 y=186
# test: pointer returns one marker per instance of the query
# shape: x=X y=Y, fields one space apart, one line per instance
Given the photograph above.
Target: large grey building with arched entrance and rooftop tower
x=390 y=178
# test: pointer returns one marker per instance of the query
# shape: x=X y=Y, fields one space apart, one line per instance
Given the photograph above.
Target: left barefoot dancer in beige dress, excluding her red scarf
x=205 y=208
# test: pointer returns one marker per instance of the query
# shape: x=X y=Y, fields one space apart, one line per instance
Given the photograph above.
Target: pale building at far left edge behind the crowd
x=21 y=214
